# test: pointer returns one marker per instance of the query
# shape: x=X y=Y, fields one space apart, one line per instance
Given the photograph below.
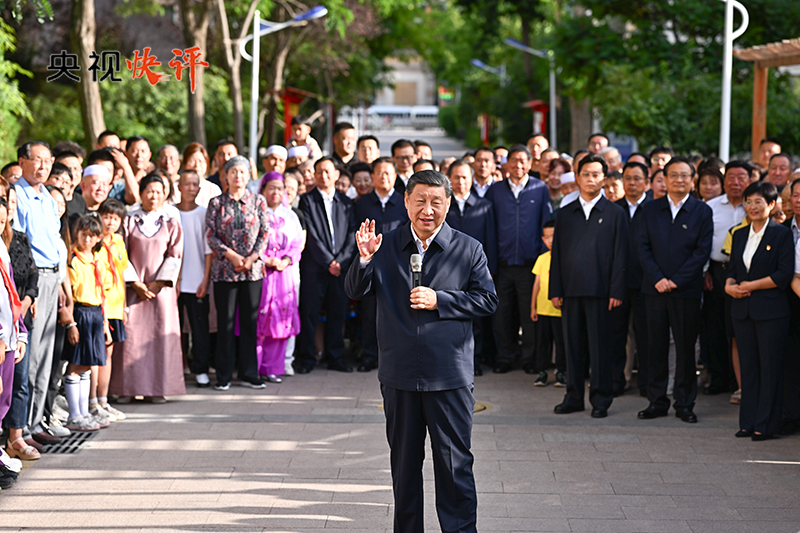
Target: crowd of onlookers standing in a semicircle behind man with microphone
x=190 y=263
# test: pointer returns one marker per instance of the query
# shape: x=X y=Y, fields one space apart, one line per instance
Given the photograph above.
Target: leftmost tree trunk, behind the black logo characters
x=83 y=42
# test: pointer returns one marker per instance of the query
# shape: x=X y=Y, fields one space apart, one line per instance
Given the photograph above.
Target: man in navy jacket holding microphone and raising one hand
x=426 y=349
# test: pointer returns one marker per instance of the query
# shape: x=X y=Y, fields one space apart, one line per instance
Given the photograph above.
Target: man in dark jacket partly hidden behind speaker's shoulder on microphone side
x=474 y=216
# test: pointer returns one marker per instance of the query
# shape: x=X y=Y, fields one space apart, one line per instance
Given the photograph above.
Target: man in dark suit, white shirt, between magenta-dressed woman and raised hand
x=330 y=248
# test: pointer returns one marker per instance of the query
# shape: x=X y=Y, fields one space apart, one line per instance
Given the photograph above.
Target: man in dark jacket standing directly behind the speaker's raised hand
x=385 y=206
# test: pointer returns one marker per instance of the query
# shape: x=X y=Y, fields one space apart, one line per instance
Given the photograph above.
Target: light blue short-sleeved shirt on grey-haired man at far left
x=37 y=216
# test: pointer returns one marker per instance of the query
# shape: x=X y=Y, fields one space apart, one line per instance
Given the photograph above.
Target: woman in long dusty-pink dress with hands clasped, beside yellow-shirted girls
x=149 y=363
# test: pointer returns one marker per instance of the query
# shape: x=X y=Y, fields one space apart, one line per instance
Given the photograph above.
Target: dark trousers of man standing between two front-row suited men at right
x=633 y=306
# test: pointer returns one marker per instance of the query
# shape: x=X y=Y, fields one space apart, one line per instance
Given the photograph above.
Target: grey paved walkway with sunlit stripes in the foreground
x=310 y=454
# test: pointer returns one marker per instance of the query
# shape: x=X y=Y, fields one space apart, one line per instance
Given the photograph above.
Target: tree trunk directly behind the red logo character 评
x=195 y=19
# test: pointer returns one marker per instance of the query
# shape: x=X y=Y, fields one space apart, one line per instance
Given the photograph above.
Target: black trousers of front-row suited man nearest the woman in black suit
x=683 y=316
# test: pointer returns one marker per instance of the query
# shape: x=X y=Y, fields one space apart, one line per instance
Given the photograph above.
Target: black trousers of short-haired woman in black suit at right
x=761 y=357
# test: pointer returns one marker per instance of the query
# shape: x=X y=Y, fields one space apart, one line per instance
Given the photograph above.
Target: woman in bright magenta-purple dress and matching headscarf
x=278 y=317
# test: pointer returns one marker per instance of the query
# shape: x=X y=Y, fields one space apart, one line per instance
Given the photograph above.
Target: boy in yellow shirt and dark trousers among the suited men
x=547 y=317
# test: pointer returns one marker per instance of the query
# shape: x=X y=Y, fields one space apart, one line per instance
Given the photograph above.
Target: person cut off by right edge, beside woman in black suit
x=791 y=387
